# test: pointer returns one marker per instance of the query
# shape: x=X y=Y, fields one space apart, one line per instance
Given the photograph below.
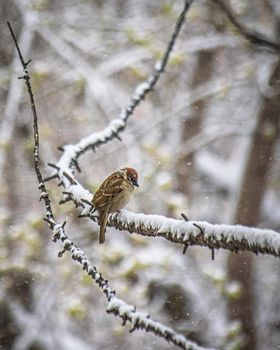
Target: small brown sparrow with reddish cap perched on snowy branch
x=113 y=195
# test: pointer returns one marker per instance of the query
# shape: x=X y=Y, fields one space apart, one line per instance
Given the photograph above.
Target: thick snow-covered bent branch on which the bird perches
x=234 y=238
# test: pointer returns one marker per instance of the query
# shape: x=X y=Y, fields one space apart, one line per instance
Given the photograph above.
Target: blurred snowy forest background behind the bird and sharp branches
x=205 y=143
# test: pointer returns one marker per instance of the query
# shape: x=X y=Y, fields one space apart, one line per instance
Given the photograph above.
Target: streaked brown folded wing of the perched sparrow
x=107 y=190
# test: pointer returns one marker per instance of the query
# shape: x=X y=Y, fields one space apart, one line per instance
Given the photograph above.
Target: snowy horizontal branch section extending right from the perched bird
x=232 y=237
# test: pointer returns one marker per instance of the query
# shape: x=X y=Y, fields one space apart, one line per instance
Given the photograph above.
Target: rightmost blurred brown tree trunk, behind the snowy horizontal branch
x=240 y=267
